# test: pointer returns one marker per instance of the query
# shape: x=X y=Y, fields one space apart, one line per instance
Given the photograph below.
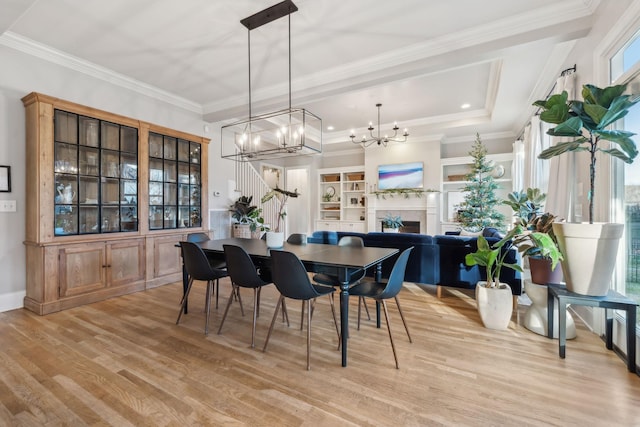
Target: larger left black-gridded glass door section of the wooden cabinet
x=96 y=175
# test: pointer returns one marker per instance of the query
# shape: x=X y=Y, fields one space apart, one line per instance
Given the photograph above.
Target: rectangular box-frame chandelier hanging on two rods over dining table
x=284 y=133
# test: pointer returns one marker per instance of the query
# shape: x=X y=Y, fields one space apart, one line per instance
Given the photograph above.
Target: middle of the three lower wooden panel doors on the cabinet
x=126 y=261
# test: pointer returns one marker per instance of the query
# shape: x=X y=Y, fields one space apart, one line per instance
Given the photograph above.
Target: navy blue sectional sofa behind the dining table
x=437 y=260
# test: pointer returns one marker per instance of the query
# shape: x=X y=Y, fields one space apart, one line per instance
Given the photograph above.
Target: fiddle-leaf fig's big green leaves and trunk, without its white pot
x=587 y=121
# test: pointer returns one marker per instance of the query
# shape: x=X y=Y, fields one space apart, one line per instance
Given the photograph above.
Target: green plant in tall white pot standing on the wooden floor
x=493 y=298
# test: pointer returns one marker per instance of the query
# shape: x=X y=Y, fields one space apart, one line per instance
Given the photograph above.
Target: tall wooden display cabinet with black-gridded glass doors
x=88 y=233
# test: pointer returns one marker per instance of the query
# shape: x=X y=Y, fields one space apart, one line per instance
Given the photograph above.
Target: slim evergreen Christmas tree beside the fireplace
x=479 y=208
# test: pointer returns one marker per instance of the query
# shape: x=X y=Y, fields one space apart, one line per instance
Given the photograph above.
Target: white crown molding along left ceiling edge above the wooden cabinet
x=55 y=56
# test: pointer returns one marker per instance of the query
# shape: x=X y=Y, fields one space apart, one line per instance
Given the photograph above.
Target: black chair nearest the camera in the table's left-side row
x=292 y=281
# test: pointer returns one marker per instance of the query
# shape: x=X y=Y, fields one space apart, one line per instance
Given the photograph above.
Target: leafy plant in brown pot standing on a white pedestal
x=535 y=238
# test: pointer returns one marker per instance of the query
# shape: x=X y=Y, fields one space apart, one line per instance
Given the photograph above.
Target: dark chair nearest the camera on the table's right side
x=381 y=291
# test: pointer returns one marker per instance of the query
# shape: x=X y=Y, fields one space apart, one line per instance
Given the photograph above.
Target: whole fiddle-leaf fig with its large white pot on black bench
x=590 y=250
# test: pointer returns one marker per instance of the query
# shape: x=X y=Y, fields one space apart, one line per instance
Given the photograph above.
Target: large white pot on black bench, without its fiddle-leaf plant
x=590 y=252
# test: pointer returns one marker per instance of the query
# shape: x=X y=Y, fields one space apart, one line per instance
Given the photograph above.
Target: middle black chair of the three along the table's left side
x=243 y=274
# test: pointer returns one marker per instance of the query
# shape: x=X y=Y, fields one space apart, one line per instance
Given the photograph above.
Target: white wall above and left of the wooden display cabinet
x=21 y=74
